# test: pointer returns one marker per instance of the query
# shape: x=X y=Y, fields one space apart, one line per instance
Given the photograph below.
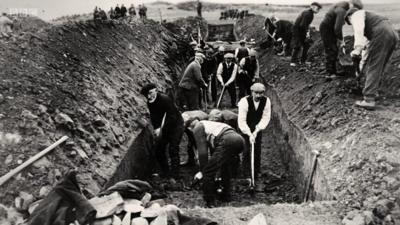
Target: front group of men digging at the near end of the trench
x=218 y=139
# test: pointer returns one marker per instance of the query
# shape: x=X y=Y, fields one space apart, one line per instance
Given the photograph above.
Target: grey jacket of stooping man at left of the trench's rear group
x=192 y=78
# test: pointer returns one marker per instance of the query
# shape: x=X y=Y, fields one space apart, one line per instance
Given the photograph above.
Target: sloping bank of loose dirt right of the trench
x=359 y=147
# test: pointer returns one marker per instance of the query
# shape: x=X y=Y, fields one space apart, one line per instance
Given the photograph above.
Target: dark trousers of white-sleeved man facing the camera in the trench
x=257 y=156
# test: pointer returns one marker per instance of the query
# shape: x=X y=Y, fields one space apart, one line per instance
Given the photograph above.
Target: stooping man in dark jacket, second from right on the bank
x=332 y=35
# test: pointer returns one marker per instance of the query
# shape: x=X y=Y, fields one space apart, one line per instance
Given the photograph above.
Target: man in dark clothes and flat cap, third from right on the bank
x=301 y=33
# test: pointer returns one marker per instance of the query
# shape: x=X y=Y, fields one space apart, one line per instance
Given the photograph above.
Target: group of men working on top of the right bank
x=374 y=41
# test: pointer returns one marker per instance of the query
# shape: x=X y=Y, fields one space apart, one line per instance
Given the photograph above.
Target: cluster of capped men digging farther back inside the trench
x=209 y=70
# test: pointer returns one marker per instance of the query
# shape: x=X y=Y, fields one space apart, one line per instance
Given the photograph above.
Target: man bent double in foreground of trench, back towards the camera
x=223 y=144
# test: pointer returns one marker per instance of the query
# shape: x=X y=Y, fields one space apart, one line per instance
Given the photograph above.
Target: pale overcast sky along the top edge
x=49 y=9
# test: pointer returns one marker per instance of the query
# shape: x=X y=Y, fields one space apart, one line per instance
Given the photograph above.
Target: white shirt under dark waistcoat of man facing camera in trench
x=242 y=117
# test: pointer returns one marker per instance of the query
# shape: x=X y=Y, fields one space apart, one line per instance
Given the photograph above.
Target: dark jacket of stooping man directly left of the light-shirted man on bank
x=334 y=19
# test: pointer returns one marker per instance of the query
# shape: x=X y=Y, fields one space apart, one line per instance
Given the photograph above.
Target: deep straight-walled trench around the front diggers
x=287 y=160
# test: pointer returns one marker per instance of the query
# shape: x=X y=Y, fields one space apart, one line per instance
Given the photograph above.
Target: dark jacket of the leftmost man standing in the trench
x=163 y=104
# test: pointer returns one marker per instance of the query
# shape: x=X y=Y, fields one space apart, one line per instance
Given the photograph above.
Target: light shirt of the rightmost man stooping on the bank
x=358 y=22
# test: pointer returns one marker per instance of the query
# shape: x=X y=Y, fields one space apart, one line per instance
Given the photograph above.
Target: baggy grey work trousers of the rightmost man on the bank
x=380 y=48
